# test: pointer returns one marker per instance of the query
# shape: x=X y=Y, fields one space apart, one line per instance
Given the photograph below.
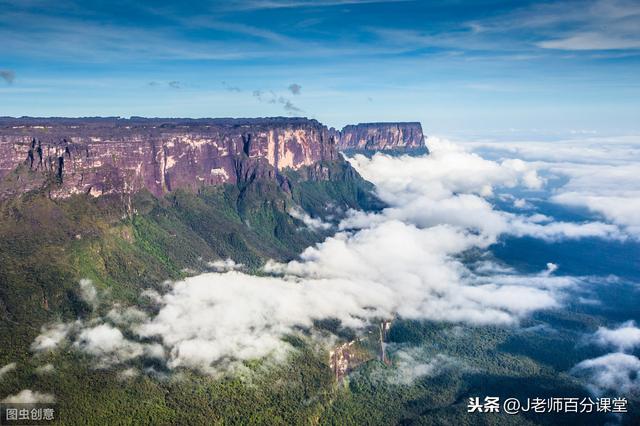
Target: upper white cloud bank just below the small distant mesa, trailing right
x=451 y=186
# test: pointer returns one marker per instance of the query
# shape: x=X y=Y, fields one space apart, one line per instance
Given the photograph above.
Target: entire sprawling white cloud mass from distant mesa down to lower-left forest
x=403 y=261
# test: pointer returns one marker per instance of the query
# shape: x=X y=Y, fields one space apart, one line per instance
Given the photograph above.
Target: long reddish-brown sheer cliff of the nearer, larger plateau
x=99 y=156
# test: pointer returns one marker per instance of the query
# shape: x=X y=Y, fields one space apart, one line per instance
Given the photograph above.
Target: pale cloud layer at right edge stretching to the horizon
x=600 y=174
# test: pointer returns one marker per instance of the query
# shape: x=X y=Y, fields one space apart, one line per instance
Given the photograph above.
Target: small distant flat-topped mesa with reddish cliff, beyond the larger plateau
x=382 y=137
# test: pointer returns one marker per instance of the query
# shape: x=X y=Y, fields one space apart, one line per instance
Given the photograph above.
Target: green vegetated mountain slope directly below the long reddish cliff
x=126 y=244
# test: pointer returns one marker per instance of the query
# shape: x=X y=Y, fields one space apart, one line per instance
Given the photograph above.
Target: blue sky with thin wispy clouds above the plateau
x=458 y=66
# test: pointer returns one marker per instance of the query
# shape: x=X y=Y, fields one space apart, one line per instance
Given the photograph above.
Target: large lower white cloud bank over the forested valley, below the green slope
x=213 y=319
